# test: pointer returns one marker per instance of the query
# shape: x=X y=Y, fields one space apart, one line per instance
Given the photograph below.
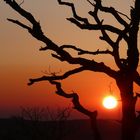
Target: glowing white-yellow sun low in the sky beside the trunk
x=110 y=102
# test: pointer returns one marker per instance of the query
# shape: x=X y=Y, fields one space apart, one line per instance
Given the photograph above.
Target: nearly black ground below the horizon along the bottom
x=18 y=129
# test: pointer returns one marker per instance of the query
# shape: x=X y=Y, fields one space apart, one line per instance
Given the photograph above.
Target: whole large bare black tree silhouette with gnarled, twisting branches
x=125 y=76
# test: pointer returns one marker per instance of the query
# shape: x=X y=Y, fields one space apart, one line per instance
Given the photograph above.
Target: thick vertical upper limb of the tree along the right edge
x=133 y=52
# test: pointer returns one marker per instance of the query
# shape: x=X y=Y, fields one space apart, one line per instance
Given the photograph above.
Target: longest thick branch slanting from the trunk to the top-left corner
x=37 y=32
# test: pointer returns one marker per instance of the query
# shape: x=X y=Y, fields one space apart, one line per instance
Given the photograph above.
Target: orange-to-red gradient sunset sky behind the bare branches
x=21 y=59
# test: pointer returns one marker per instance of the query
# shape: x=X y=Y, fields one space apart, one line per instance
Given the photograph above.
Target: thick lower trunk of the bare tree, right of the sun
x=128 y=108
